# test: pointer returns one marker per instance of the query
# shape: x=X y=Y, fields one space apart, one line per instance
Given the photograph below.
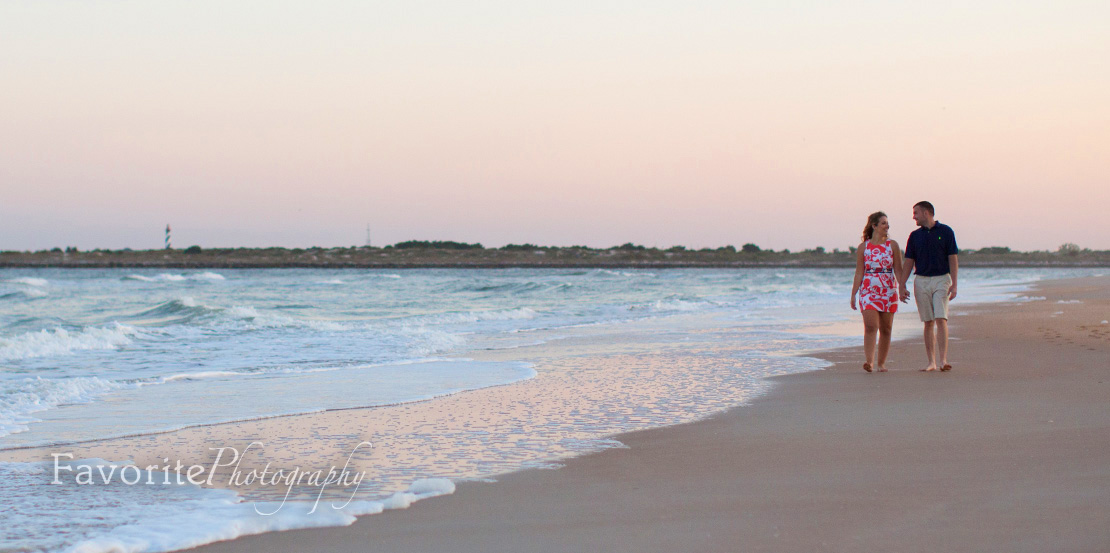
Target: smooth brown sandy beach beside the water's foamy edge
x=995 y=456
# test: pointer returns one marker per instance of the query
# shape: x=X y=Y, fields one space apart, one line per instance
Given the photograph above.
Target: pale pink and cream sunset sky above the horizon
x=782 y=124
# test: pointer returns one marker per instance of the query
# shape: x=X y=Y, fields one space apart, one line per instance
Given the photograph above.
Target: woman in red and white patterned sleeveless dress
x=879 y=266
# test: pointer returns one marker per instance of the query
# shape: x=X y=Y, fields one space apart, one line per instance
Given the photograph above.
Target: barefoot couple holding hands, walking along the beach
x=881 y=284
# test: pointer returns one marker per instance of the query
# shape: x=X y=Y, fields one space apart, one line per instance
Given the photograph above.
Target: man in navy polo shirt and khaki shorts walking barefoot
x=932 y=249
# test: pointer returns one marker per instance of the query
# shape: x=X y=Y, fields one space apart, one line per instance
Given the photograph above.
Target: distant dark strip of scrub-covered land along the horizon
x=628 y=257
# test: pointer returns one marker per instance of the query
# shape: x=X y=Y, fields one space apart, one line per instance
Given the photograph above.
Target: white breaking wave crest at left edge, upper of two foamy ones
x=60 y=341
